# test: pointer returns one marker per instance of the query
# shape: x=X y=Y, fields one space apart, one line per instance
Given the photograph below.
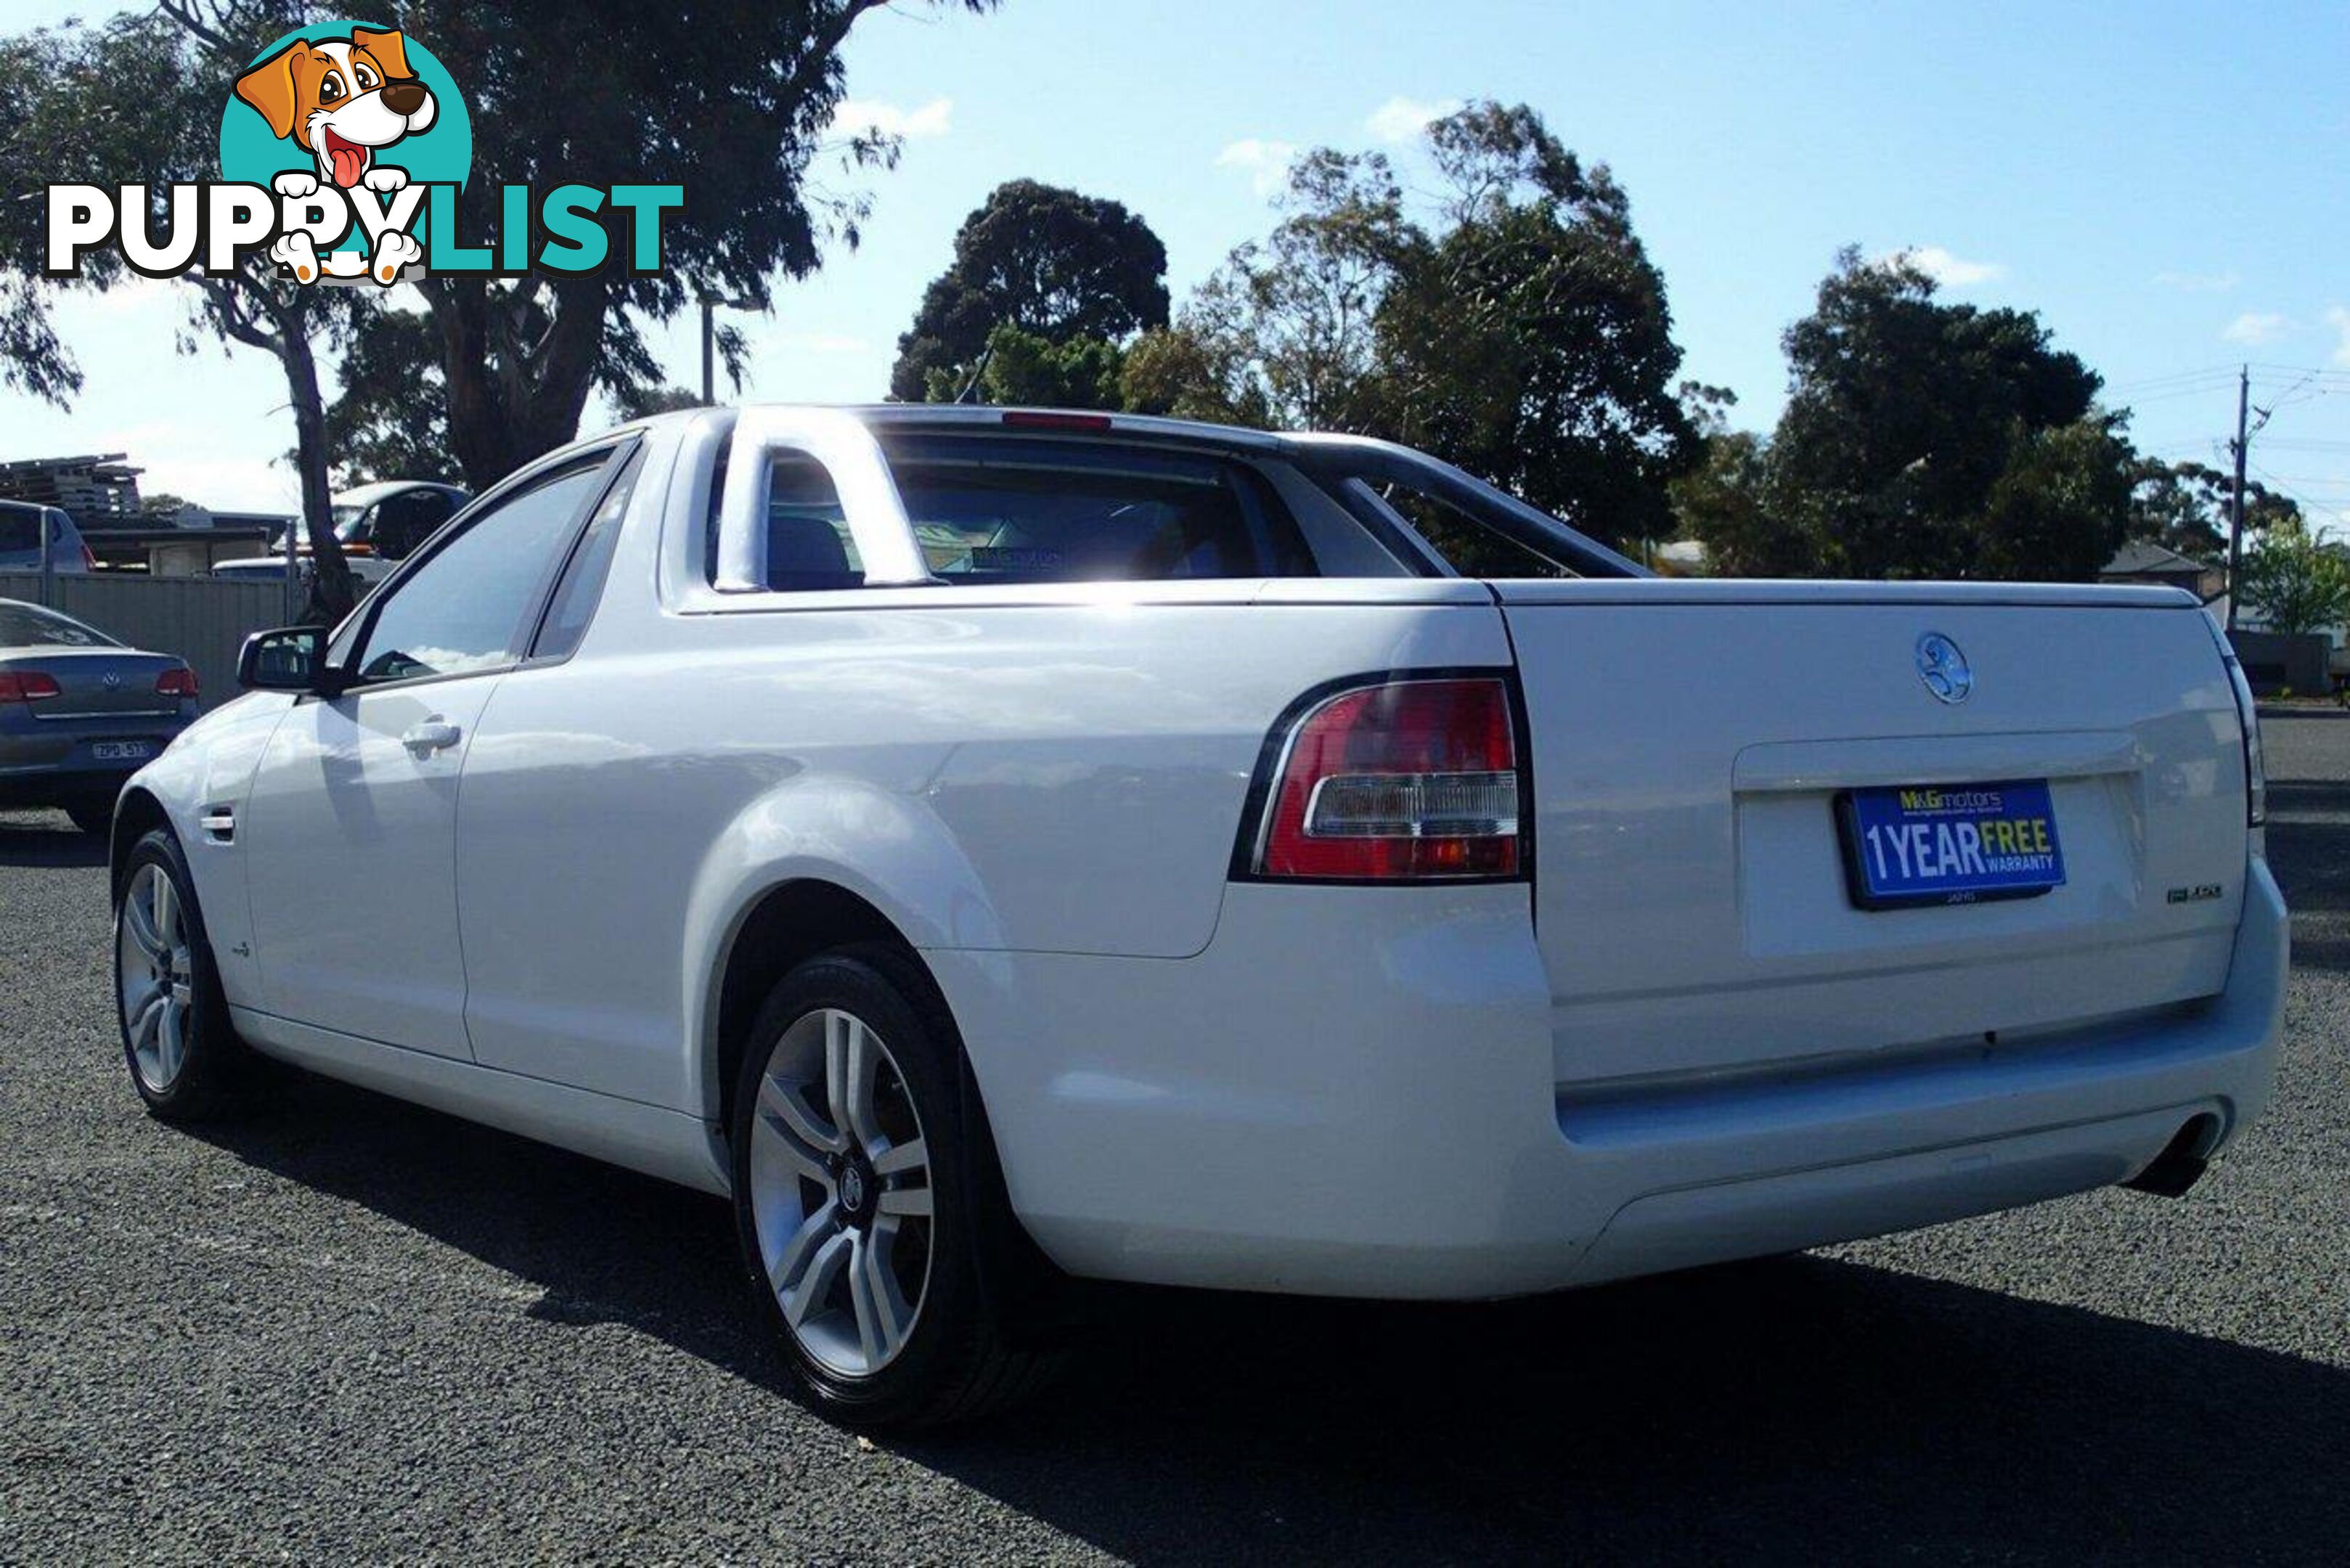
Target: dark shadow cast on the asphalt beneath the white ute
x=1768 y=1412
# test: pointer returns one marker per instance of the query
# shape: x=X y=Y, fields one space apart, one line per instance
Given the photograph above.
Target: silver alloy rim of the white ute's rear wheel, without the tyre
x=840 y=1191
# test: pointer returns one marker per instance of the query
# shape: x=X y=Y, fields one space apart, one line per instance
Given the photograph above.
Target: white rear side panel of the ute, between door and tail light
x=993 y=777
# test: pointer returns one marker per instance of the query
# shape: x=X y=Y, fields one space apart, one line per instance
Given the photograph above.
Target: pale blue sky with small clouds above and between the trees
x=2168 y=185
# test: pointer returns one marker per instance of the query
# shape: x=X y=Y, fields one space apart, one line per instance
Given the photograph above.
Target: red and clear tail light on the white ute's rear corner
x=1395 y=782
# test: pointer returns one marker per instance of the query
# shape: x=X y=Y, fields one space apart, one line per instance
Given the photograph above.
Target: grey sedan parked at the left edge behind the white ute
x=81 y=713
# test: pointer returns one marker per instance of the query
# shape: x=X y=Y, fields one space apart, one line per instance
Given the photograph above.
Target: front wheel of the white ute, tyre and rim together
x=168 y=996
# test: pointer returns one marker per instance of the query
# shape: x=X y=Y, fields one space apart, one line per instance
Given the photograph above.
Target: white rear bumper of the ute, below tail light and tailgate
x=1352 y=1092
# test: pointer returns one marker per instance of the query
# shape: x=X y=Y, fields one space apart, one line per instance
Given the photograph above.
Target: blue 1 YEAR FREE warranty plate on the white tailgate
x=1949 y=843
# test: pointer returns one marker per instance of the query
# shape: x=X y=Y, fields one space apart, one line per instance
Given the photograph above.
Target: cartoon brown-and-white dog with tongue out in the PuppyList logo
x=342 y=100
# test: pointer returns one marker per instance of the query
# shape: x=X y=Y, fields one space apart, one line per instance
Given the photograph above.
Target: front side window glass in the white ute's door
x=466 y=608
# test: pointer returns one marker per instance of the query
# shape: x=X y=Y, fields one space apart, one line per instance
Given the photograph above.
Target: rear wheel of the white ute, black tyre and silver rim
x=868 y=1200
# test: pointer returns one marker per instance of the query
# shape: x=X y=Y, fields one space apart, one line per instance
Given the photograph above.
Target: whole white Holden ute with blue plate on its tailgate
x=1000 y=847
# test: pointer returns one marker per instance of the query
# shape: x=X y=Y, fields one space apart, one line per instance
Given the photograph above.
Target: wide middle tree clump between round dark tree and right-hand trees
x=1522 y=335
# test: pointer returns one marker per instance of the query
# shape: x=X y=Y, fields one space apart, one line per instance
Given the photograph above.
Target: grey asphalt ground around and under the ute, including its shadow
x=351 y=1329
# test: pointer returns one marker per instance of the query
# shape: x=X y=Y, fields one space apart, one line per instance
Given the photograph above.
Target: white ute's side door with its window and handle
x=351 y=824
